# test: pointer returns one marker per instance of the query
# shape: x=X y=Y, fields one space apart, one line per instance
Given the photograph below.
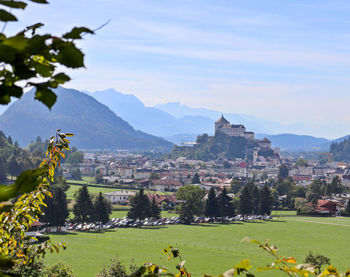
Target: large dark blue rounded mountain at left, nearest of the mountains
x=95 y=126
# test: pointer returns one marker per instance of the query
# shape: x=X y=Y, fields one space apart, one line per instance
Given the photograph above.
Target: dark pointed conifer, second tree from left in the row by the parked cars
x=83 y=208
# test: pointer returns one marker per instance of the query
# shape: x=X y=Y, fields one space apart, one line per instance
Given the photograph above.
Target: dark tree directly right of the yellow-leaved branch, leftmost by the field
x=56 y=212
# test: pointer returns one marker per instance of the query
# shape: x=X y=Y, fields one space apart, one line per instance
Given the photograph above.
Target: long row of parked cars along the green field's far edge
x=127 y=222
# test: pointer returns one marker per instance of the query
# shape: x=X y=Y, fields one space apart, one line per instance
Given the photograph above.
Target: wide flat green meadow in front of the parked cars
x=208 y=248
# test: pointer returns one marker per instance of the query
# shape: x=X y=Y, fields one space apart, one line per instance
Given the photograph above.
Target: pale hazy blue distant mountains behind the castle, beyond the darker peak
x=179 y=123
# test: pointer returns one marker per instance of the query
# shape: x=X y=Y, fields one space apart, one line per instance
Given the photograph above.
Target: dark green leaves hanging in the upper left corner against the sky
x=28 y=55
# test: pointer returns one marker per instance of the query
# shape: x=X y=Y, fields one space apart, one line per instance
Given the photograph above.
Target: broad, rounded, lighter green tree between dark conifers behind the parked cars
x=192 y=197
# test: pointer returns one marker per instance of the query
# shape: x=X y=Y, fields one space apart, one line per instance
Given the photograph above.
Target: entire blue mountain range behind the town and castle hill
x=112 y=121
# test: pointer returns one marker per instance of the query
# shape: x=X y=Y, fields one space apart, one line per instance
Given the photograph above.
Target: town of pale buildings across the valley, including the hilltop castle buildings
x=128 y=172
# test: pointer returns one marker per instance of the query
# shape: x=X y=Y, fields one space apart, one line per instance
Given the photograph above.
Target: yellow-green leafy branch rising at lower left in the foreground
x=30 y=189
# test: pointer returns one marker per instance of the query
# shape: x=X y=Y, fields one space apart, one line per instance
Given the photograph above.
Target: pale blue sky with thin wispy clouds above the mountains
x=285 y=61
